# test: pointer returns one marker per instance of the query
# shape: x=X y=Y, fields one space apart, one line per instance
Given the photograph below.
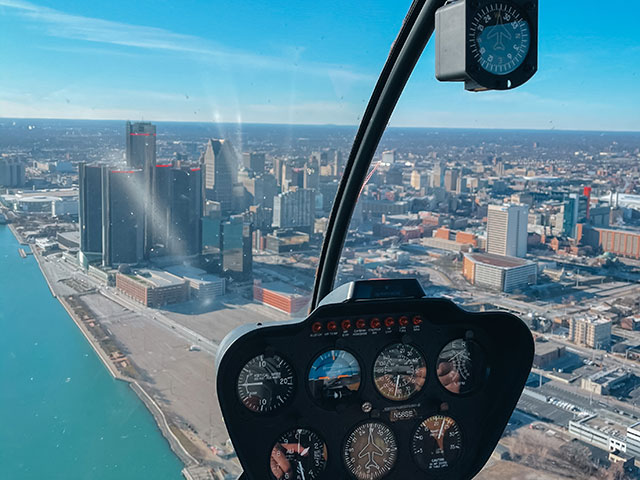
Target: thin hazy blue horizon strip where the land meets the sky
x=352 y=126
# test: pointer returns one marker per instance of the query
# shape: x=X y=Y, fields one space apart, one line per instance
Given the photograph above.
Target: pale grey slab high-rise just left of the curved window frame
x=295 y=209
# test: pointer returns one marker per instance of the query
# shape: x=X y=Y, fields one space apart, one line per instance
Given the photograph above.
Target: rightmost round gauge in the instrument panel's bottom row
x=437 y=443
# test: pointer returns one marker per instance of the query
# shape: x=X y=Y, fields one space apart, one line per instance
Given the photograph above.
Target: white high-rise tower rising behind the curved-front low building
x=507 y=230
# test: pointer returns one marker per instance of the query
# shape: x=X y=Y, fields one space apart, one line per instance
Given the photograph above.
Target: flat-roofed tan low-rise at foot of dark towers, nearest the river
x=153 y=288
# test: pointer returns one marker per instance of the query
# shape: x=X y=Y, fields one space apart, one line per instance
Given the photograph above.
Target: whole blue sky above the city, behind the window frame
x=298 y=62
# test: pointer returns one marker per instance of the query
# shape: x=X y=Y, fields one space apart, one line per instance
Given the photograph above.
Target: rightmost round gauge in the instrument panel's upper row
x=462 y=367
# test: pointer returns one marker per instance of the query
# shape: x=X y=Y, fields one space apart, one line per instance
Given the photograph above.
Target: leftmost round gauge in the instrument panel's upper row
x=265 y=383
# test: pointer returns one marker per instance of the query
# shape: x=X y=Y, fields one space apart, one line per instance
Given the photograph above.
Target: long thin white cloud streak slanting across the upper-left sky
x=88 y=29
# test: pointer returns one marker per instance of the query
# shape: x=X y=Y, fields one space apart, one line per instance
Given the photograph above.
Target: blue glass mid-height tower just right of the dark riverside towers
x=237 y=257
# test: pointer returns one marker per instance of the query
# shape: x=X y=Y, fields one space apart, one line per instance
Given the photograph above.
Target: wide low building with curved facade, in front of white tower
x=497 y=272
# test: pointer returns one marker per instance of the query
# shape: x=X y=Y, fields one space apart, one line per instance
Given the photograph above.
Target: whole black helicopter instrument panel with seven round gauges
x=386 y=388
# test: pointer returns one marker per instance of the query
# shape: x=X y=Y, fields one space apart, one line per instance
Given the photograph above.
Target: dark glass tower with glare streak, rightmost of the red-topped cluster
x=175 y=211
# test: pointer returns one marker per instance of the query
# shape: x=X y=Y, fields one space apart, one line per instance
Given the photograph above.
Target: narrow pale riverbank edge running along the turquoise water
x=150 y=404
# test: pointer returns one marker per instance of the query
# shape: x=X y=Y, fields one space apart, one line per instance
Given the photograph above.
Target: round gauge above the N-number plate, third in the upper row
x=399 y=372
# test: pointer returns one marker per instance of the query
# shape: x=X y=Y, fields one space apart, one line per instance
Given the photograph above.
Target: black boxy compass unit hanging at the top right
x=457 y=51
